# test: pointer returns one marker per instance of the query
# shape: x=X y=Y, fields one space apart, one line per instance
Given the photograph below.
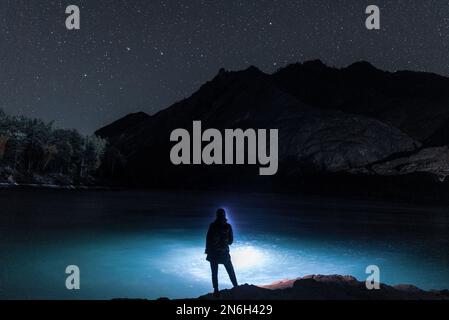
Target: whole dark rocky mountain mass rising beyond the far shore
x=359 y=128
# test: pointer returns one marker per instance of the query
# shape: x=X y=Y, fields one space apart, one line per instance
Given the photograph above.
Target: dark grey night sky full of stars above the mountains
x=144 y=55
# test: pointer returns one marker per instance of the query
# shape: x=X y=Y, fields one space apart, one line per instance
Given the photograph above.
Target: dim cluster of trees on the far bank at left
x=32 y=146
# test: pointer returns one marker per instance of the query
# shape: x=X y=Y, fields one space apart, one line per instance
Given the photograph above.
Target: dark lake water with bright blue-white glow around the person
x=150 y=245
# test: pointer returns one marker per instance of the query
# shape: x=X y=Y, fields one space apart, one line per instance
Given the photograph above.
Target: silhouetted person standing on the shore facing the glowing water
x=219 y=237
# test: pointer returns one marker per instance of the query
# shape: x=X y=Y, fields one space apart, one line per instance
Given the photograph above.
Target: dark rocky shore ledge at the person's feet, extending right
x=333 y=287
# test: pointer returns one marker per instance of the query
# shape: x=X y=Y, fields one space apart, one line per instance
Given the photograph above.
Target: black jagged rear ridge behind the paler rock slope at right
x=414 y=102
